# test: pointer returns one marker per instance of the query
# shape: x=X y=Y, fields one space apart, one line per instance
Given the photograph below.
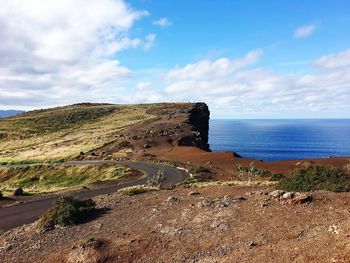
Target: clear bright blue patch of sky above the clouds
x=213 y=29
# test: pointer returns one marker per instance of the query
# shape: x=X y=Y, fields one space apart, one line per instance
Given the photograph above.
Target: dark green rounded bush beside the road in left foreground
x=67 y=211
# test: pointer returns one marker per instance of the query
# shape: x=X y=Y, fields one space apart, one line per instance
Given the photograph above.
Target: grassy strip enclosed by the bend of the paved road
x=49 y=178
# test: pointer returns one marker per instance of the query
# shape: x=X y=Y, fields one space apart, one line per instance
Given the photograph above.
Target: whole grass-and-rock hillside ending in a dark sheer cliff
x=103 y=131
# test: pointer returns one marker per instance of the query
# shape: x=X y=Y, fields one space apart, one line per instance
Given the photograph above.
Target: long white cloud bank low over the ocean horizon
x=233 y=89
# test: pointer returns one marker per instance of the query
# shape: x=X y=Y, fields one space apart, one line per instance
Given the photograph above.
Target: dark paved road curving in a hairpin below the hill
x=25 y=213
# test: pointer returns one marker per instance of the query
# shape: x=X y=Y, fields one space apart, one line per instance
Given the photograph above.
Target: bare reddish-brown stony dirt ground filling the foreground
x=207 y=224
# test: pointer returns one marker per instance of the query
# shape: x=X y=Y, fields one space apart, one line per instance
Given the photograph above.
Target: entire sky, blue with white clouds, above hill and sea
x=245 y=59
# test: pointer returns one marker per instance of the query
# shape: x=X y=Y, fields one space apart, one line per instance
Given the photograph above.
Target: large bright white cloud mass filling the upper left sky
x=57 y=52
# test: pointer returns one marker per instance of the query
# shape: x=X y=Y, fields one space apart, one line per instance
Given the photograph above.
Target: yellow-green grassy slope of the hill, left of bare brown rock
x=64 y=132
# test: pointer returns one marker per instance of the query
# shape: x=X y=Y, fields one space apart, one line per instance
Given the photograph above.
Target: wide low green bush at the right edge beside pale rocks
x=316 y=178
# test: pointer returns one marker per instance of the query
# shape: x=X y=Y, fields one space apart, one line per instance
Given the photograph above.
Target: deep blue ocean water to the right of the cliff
x=272 y=140
